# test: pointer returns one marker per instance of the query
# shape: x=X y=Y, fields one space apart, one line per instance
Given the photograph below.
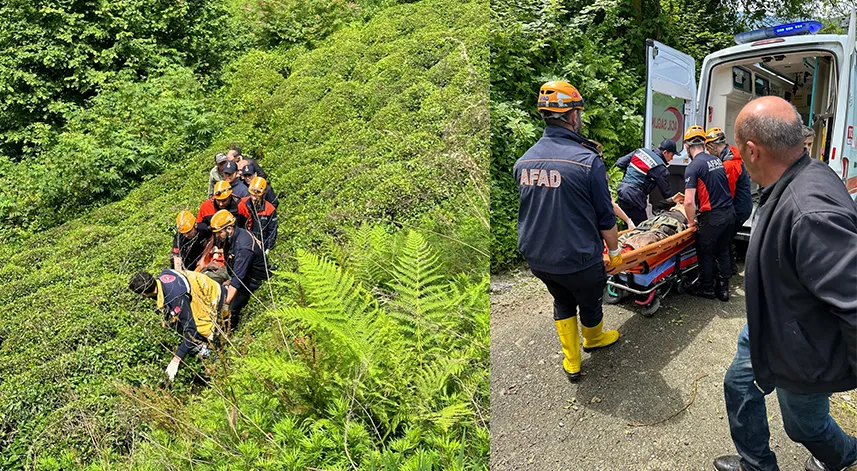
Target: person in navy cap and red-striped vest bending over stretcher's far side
x=644 y=169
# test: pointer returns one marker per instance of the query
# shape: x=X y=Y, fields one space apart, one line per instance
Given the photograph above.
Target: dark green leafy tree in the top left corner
x=57 y=54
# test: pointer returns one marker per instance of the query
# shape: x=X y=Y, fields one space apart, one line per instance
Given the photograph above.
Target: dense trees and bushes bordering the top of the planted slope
x=69 y=139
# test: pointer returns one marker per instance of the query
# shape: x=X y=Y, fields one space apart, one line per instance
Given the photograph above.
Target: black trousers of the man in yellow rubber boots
x=583 y=289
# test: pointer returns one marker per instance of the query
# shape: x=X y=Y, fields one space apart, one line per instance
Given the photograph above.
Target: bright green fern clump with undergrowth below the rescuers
x=344 y=373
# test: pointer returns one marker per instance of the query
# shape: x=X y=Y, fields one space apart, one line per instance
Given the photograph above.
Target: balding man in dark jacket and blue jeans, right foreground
x=801 y=295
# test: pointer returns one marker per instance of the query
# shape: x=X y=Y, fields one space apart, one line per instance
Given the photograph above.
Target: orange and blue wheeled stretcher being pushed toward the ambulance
x=649 y=273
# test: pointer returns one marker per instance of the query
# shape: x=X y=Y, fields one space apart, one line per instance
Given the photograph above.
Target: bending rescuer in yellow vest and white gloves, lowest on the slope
x=190 y=302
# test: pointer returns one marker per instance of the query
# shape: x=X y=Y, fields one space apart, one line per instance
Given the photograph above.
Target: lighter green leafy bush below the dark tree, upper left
x=131 y=132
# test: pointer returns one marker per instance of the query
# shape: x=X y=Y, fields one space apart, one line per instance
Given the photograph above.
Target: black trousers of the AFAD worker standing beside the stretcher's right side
x=714 y=242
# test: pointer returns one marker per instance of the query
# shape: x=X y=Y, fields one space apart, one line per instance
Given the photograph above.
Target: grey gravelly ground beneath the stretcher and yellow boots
x=540 y=421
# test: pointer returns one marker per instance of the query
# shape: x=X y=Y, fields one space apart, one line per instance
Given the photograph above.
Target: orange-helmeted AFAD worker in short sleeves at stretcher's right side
x=708 y=205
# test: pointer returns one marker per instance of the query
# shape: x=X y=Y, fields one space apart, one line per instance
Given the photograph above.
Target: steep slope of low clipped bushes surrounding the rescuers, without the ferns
x=385 y=123
